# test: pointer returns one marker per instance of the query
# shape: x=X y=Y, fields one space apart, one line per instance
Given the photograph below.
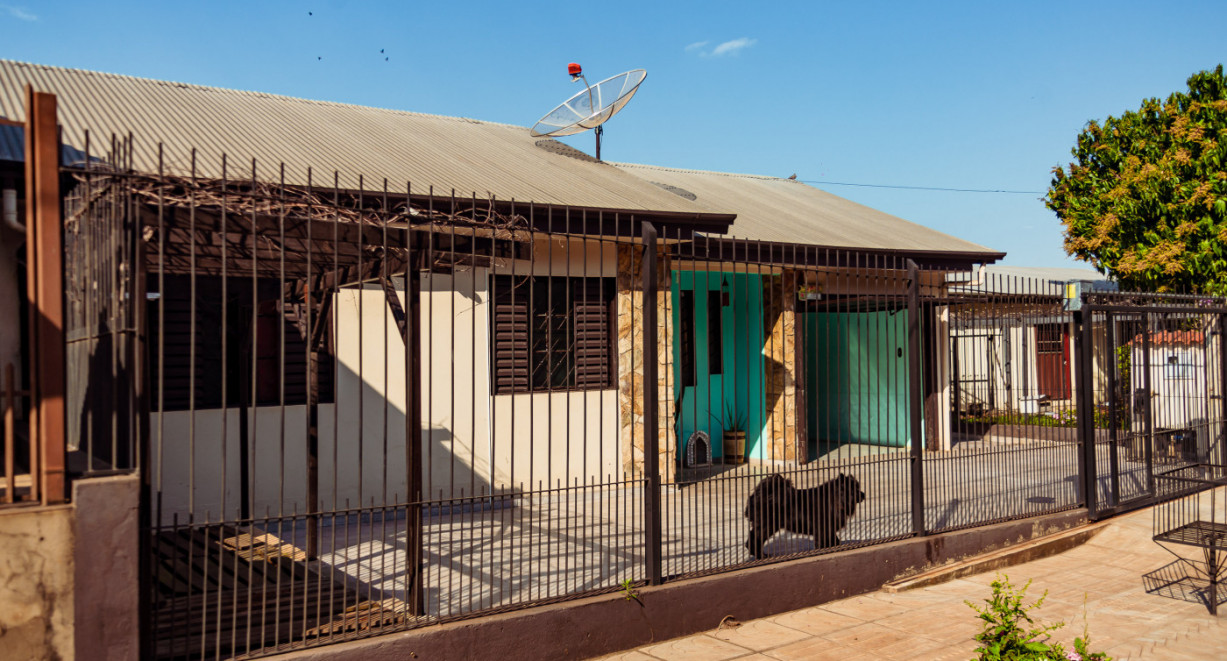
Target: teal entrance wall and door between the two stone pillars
x=718 y=365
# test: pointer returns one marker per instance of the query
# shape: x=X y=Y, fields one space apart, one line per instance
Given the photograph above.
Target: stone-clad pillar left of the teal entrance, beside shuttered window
x=630 y=362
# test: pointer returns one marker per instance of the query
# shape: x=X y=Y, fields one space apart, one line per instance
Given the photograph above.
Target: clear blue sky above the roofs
x=952 y=95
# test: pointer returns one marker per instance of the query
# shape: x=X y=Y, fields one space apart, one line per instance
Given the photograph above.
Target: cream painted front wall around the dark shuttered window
x=534 y=437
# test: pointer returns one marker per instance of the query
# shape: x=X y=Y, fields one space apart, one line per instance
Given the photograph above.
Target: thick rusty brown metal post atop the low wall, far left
x=45 y=262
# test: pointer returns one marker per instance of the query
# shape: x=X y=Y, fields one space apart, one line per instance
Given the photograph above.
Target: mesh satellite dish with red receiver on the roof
x=591 y=109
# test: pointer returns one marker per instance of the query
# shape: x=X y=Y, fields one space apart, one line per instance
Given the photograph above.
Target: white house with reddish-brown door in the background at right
x=1019 y=359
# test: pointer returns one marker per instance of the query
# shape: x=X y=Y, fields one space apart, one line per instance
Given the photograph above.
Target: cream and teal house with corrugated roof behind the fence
x=793 y=322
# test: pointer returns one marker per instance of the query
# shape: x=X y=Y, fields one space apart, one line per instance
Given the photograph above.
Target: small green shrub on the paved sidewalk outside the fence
x=1009 y=633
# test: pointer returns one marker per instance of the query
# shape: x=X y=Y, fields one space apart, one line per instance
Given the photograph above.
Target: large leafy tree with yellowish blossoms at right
x=1145 y=201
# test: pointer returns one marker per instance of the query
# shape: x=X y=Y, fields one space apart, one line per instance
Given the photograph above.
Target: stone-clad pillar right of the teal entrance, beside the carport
x=780 y=353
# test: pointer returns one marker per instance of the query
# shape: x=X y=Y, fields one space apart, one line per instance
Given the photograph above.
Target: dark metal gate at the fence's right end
x=1154 y=384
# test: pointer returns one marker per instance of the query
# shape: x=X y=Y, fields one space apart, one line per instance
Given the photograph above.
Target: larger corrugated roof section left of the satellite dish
x=445 y=153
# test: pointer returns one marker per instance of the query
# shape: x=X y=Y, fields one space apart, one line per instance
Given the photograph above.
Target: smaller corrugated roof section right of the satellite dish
x=782 y=210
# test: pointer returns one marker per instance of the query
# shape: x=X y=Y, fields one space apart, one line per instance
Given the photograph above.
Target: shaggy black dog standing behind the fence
x=821 y=512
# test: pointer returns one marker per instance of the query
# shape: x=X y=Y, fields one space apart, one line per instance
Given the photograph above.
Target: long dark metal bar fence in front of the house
x=361 y=409
